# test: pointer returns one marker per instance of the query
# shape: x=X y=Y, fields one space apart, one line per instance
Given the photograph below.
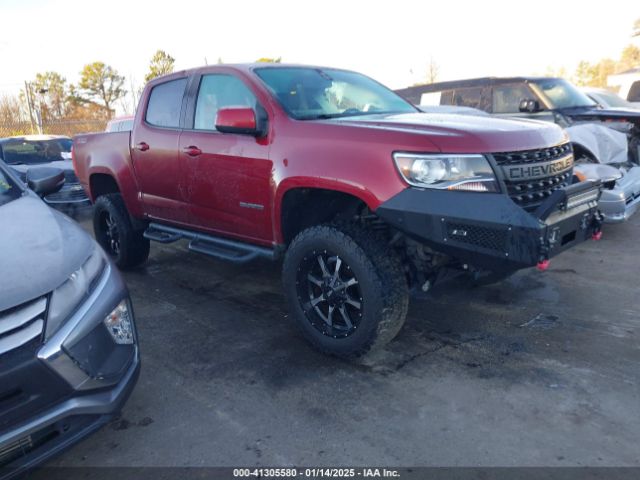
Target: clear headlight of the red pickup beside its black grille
x=471 y=173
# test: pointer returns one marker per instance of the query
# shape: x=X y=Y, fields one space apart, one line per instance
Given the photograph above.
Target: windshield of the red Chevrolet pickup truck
x=312 y=93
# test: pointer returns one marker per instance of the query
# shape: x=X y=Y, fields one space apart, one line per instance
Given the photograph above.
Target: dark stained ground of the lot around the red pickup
x=541 y=369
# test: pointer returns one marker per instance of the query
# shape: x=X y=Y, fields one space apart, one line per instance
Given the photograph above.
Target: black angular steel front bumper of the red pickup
x=489 y=231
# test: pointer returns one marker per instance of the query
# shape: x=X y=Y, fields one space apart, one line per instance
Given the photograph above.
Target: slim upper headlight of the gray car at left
x=67 y=297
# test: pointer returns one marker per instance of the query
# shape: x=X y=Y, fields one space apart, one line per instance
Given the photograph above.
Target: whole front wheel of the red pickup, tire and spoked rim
x=346 y=289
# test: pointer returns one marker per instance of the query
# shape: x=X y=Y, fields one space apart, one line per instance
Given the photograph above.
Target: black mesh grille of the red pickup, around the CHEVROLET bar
x=530 y=194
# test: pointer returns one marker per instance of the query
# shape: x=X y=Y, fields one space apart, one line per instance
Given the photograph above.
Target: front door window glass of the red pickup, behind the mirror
x=216 y=92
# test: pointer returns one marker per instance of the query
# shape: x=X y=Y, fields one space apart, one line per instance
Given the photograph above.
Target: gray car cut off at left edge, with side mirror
x=68 y=348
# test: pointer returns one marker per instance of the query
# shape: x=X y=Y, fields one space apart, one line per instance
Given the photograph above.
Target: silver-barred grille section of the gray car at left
x=20 y=325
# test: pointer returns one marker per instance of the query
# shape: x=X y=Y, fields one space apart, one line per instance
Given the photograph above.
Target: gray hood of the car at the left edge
x=39 y=249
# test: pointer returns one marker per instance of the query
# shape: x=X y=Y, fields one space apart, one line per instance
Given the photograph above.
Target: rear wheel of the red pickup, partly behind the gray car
x=115 y=233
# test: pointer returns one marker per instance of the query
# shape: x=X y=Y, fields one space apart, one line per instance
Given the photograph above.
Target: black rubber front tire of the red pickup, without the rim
x=381 y=279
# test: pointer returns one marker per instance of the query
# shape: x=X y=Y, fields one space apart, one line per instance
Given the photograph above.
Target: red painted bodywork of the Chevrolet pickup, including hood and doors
x=235 y=186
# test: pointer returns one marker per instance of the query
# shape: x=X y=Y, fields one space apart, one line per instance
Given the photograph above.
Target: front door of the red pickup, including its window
x=228 y=184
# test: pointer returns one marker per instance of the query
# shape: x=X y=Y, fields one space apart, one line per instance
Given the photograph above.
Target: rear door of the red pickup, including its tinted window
x=154 y=150
